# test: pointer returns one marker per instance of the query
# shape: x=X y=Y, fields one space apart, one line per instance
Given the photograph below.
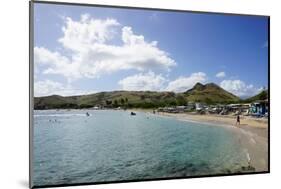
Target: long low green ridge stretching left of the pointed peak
x=129 y=99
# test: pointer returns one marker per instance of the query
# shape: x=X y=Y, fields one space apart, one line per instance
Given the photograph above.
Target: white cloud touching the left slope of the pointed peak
x=184 y=83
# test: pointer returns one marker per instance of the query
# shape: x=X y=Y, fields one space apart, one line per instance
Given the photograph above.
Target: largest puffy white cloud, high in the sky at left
x=91 y=52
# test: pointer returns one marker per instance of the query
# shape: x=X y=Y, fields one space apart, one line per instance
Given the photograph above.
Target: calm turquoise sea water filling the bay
x=109 y=145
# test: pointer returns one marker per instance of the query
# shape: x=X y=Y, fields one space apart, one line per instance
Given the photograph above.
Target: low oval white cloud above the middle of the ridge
x=143 y=82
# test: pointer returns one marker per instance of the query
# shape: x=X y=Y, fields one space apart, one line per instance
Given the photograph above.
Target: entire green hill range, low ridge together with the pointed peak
x=209 y=93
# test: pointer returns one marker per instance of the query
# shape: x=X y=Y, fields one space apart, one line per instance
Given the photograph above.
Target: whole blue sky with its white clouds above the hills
x=80 y=50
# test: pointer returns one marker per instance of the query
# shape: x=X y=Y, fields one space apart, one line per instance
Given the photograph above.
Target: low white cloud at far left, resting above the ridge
x=48 y=87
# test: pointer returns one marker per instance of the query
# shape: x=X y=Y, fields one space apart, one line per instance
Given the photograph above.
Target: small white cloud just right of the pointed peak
x=240 y=88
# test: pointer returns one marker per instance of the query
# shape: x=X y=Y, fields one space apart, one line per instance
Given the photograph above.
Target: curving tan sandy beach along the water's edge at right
x=252 y=133
